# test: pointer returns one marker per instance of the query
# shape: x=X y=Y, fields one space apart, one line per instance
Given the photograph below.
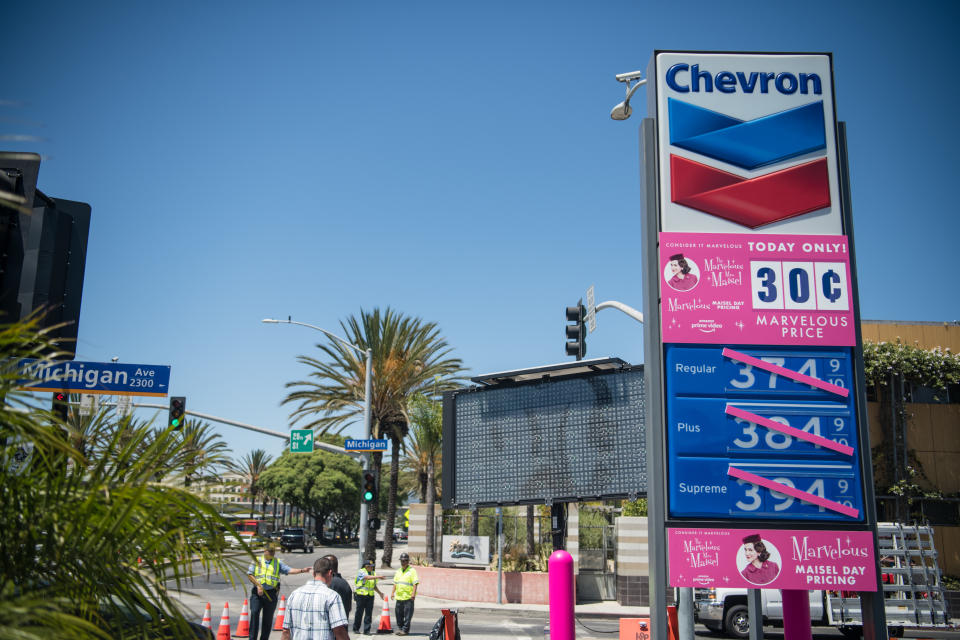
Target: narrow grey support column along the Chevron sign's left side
x=653 y=364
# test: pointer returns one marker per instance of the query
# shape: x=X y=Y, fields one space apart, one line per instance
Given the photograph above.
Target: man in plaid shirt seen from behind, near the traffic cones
x=315 y=611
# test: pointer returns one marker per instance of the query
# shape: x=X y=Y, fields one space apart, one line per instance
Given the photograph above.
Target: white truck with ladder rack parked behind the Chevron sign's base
x=913 y=594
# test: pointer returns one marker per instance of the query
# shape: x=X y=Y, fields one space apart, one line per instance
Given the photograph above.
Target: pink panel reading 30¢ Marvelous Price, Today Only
x=732 y=288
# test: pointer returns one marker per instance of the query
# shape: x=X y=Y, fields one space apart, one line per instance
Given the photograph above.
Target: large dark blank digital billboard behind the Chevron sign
x=555 y=439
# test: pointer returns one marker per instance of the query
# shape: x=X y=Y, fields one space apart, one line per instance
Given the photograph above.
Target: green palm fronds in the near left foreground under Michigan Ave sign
x=76 y=522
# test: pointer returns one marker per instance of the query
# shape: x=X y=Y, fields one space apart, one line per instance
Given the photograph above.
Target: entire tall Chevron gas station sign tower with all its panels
x=754 y=353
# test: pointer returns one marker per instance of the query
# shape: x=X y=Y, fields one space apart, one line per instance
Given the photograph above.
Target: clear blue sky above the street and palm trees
x=455 y=161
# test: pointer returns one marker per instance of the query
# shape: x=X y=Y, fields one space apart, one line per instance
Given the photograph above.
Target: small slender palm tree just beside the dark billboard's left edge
x=426 y=418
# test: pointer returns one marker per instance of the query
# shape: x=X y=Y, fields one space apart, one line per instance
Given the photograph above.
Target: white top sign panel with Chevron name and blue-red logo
x=747 y=143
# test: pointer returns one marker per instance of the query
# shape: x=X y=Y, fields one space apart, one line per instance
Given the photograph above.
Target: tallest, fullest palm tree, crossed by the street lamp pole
x=408 y=354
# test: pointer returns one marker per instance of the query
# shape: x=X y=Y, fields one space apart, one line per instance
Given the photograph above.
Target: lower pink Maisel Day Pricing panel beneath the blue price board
x=772 y=559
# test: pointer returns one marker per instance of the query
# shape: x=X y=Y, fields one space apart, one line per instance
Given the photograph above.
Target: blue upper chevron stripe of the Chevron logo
x=749 y=144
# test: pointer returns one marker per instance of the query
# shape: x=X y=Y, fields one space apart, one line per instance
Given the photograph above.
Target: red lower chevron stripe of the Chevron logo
x=753 y=202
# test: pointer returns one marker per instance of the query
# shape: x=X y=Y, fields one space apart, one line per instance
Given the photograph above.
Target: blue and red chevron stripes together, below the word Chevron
x=751 y=202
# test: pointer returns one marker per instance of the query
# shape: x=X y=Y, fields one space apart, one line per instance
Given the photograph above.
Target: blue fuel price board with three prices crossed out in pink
x=762 y=434
